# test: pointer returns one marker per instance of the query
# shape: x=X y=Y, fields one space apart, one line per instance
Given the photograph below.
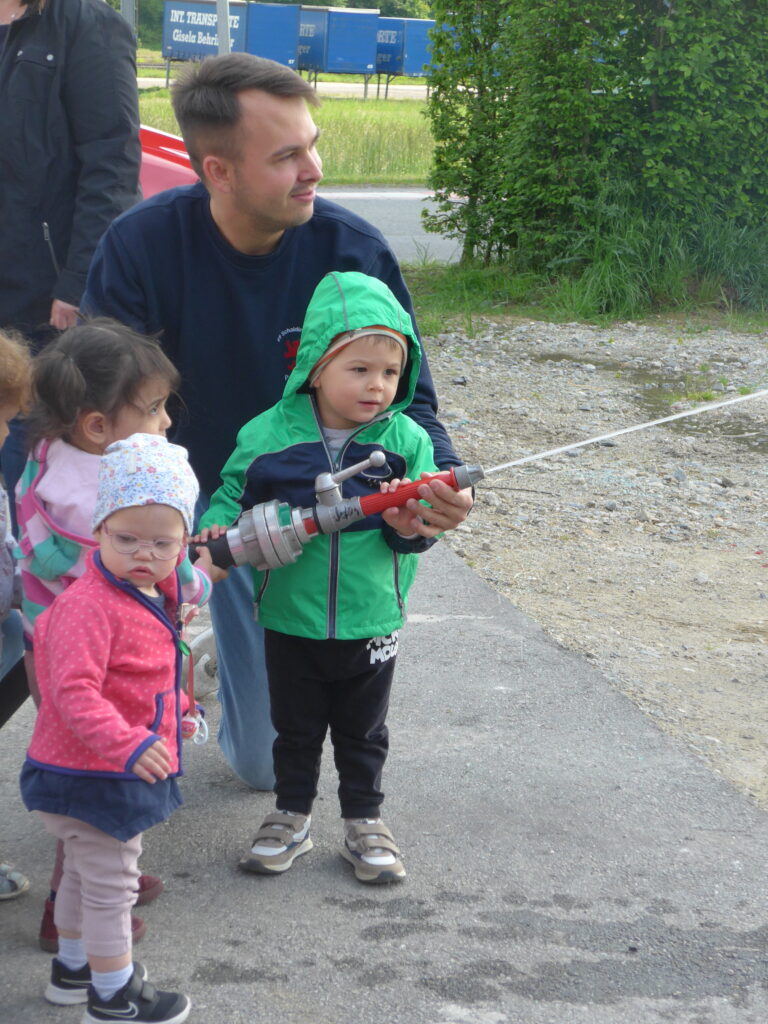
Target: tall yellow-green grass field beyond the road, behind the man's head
x=375 y=143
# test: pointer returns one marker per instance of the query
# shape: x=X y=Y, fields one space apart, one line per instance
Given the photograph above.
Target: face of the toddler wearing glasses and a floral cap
x=142 y=544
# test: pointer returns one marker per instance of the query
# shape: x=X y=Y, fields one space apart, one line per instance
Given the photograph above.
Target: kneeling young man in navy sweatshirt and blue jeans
x=226 y=271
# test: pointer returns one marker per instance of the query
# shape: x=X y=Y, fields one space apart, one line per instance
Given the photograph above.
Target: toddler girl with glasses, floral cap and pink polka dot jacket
x=106 y=751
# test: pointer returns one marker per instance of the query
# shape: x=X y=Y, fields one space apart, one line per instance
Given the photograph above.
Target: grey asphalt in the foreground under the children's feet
x=568 y=863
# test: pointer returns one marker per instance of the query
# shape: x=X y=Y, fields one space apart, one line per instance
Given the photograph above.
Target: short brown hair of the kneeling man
x=207 y=106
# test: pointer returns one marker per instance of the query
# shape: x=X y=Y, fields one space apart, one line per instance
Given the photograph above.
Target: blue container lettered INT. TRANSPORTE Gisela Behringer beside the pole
x=190 y=29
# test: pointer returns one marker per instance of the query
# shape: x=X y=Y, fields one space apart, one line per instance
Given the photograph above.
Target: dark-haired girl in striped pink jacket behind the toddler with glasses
x=98 y=383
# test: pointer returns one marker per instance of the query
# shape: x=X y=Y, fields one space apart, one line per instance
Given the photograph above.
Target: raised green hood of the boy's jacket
x=352 y=302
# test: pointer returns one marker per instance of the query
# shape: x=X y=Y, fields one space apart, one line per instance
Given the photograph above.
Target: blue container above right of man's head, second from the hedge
x=338 y=39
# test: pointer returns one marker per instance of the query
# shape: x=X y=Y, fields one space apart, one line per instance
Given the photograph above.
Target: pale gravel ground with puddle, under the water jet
x=648 y=554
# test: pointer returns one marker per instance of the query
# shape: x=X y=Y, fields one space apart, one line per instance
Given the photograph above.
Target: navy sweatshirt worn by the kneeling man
x=230 y=322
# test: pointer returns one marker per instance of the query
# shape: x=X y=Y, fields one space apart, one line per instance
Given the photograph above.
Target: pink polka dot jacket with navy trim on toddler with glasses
x=109 y=667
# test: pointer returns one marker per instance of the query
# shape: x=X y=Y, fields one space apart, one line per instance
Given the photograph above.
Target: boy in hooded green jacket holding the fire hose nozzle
x=332 y=618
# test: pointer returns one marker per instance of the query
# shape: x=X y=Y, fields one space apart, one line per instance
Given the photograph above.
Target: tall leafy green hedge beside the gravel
x=561 y=123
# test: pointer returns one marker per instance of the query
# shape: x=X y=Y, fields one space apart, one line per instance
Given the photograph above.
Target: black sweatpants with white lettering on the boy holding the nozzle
x=342 y=685
